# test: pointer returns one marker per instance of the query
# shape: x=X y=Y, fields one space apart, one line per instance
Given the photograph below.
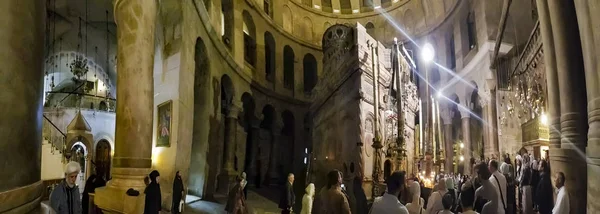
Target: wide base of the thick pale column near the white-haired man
x=113 y=197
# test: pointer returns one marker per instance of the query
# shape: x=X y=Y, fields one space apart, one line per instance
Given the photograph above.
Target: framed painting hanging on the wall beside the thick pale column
x=163 y=133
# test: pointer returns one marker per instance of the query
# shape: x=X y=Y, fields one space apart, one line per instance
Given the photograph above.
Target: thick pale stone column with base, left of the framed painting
x=132 y=160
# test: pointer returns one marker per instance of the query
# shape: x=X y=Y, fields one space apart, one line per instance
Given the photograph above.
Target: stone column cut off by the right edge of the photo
x=588 y=17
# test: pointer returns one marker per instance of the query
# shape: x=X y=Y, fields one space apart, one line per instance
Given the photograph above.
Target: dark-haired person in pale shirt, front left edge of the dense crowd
x=389 y=203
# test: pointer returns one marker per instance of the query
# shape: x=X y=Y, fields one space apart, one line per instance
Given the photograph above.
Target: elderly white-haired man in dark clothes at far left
x=65 y=198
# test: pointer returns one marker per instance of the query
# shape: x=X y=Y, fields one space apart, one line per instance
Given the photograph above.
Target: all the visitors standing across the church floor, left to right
x=495 y=187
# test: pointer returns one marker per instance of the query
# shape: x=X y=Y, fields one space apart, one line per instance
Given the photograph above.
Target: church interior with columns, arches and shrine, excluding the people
x=211 y=89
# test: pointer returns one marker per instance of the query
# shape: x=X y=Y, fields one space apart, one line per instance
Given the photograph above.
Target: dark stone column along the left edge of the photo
x=21 y=79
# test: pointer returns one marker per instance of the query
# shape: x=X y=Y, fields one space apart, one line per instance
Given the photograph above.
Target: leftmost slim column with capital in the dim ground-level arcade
x=227 y=176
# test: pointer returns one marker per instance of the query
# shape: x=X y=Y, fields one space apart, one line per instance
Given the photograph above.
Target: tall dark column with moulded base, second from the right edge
x=570 y=158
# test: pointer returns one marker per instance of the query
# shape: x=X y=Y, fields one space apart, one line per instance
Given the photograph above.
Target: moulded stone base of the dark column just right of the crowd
x=572 y=163
